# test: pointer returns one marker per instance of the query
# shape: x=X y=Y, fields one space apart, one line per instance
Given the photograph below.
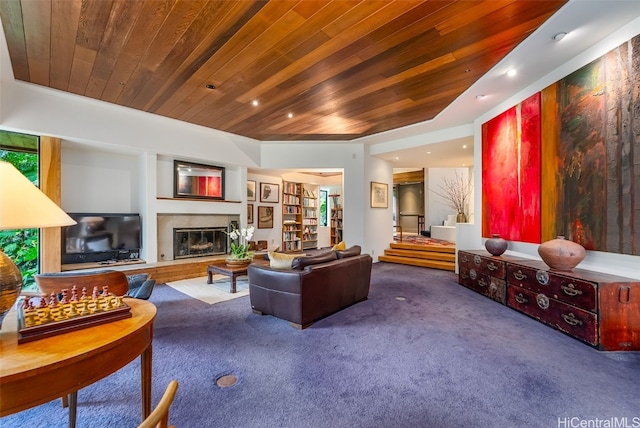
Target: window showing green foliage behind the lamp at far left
x=21 y=245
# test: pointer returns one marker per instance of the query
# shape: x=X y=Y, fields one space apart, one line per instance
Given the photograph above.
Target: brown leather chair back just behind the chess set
x=55 y=282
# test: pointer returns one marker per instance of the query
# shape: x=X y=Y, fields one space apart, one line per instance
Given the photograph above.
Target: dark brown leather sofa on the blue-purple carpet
x=315 y=287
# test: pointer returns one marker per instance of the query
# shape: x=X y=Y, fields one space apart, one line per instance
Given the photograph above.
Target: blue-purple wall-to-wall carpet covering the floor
x=422 y=351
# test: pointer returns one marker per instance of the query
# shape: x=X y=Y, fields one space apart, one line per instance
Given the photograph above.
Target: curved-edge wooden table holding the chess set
x=37 y=372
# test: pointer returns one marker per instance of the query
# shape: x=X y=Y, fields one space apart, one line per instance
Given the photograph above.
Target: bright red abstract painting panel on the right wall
x=511 y=186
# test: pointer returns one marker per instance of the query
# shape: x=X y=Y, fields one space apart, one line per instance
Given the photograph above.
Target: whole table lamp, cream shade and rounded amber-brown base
x=22 y=206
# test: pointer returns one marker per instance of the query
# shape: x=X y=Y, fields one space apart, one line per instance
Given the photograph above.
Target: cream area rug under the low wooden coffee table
x=217 y=292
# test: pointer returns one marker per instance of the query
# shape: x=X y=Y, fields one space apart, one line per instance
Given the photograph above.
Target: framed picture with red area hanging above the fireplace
x=194 y=180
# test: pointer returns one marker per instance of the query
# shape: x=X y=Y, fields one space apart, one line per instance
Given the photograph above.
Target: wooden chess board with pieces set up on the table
x=40 y=317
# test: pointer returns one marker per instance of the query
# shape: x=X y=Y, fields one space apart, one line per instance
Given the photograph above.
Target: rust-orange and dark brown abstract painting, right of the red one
x=592 y=153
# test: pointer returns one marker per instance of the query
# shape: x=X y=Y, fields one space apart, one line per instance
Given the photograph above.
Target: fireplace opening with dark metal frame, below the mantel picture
x=199 y=242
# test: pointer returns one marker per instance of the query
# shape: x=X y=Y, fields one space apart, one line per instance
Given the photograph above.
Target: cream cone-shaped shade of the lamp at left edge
x=23 y=205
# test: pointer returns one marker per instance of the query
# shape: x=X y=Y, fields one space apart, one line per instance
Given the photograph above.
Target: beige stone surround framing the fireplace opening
x=168 y=222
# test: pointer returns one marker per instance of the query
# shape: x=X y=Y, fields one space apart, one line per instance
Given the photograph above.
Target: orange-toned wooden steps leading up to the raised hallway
x=431 y=256
